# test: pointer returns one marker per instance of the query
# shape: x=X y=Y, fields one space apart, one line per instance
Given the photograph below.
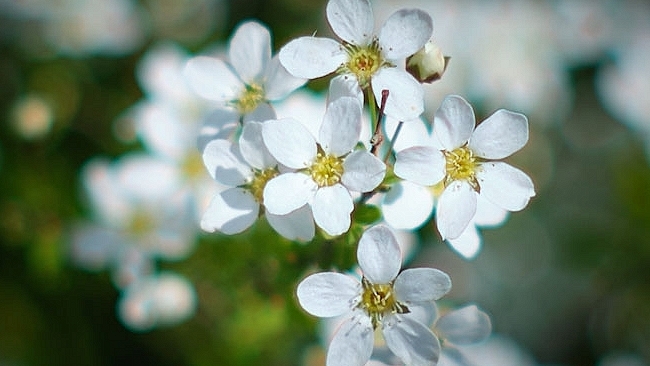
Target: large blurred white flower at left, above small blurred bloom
x=139 y=217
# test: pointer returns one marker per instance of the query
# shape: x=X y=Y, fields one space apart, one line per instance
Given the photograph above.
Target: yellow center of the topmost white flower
x=363 y=62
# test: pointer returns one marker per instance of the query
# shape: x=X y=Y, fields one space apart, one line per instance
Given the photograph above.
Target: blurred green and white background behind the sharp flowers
x=93 y=164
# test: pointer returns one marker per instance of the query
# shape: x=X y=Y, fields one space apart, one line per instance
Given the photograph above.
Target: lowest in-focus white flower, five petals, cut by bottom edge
x=382 y=299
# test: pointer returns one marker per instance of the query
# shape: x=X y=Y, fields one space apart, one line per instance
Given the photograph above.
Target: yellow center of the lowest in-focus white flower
x=379 y=300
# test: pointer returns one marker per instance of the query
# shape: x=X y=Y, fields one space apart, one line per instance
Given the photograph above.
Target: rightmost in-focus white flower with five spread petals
x=467 y=164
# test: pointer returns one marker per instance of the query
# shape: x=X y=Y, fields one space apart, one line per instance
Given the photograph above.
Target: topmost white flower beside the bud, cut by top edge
x=370 y=58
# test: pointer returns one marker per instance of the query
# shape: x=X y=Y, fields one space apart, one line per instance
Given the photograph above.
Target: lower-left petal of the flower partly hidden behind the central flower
x=230 y=212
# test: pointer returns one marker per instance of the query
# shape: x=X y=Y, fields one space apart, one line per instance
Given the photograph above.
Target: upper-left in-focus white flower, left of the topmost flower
x=250 y=80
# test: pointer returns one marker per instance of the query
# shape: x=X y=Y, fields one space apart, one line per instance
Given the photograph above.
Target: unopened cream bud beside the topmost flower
x=428 y=64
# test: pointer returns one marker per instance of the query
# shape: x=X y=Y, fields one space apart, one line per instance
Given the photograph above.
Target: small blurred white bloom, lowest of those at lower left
x=163 y=299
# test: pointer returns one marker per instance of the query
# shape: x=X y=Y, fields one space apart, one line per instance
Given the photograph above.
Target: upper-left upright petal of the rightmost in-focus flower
x=453 y=122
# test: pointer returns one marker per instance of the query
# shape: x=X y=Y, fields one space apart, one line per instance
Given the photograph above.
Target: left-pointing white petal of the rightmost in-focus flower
x=423 y=165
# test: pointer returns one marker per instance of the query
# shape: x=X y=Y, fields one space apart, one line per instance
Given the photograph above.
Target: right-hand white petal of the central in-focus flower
x=362 y=171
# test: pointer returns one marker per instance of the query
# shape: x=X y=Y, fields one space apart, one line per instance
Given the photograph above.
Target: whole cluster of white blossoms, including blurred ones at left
x=308 y=177
